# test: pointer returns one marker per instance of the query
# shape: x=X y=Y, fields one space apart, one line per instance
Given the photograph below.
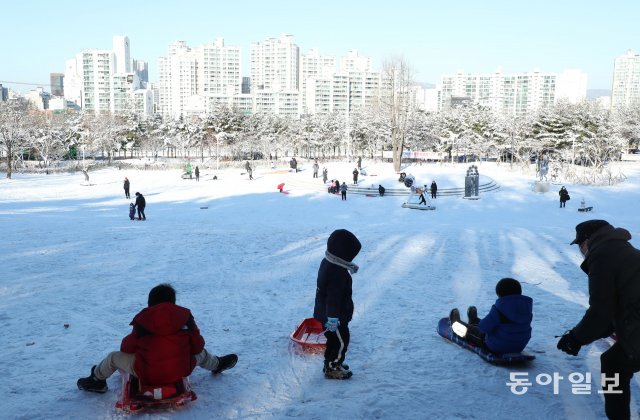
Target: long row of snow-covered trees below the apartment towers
x=566 y=134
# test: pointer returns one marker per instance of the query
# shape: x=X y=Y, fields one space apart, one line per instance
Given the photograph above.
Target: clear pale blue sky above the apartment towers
x=435 y=38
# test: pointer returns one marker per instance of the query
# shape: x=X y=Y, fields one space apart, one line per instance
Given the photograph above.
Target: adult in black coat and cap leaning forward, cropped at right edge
x=613 y=267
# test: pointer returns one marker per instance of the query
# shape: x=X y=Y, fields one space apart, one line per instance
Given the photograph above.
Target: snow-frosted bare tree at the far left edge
x=14 y=130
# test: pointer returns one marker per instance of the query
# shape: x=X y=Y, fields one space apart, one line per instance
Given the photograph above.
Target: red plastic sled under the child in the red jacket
x=136 y=396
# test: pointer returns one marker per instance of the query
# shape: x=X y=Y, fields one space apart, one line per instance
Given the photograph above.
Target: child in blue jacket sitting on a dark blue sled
x=507 y=327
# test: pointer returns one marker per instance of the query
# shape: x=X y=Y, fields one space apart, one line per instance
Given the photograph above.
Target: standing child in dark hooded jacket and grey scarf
x=333 y=305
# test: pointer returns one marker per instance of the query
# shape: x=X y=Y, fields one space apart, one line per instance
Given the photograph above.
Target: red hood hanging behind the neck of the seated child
x=163 y=318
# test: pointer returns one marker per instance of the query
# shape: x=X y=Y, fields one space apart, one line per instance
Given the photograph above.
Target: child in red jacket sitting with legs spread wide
x=164 y=346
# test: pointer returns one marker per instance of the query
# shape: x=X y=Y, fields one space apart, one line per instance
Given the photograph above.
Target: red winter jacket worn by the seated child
x=164 y=339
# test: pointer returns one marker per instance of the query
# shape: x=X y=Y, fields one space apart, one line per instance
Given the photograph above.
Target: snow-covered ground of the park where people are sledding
x=244 y=259
